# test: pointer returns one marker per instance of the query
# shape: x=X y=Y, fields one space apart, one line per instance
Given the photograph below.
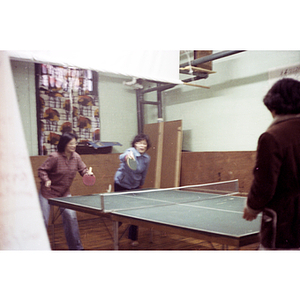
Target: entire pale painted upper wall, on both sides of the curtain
x=229 y=116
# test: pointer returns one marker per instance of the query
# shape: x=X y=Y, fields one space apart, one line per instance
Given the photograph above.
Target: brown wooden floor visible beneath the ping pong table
x=96 y=234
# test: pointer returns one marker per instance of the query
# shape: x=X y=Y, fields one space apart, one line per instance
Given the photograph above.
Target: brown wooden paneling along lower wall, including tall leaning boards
x=196 y=167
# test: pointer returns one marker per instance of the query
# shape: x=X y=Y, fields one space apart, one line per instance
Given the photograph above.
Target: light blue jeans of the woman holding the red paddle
x=70 y=223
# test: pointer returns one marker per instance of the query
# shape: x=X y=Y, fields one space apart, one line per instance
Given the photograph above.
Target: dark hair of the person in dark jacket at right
x=284 y=97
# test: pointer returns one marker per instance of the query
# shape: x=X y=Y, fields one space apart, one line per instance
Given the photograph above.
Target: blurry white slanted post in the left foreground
x=21 y=222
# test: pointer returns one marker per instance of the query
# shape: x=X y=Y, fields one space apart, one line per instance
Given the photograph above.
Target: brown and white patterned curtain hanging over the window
x=67 y=102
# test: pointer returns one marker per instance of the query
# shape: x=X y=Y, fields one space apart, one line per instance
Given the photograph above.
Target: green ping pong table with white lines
x=204 y=216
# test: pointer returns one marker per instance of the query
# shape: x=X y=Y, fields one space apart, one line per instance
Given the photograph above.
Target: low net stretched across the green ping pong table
x=138 y=199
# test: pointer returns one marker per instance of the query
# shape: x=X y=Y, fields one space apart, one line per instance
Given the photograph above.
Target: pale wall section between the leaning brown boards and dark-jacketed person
x=229 y=116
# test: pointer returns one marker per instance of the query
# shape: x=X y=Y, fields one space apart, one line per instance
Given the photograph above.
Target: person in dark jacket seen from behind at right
x=275 y=189
